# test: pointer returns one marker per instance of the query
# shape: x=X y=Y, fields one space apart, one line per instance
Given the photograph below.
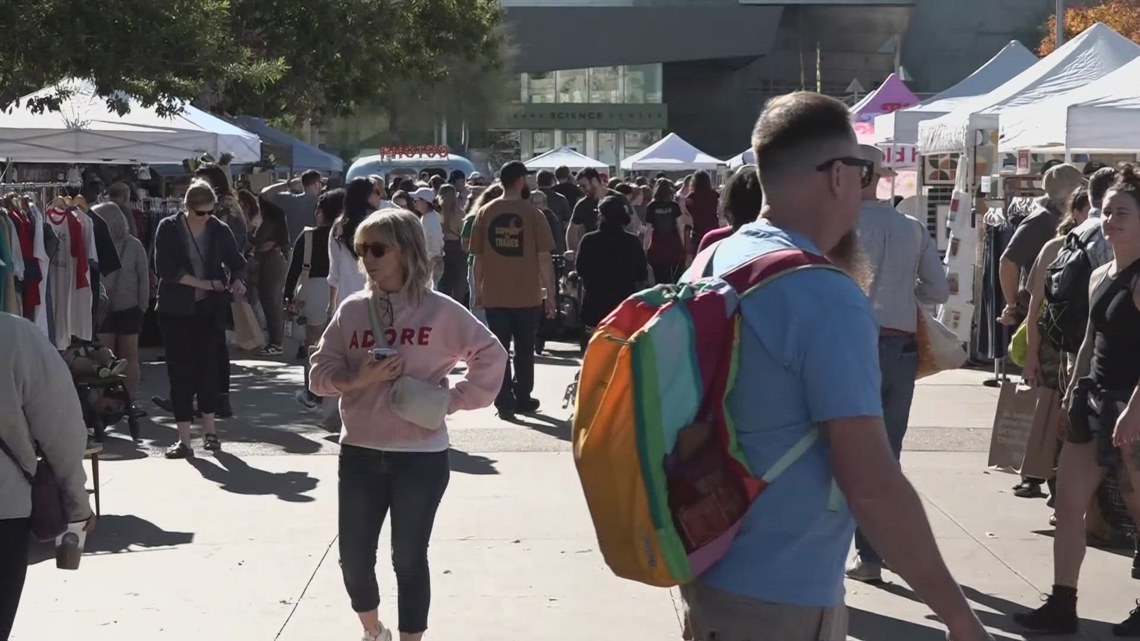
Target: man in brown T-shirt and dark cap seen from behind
x=515 y=281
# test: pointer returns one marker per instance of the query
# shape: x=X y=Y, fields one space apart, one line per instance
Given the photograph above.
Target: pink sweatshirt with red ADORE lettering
x=433 y=338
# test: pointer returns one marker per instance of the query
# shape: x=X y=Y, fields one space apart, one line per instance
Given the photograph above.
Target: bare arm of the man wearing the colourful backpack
x=891 y=515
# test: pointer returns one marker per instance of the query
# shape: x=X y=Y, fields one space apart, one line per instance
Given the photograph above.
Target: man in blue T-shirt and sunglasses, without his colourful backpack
x=809 y=362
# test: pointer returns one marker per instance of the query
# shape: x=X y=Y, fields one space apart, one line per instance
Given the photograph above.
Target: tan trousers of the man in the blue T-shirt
x=715 y=615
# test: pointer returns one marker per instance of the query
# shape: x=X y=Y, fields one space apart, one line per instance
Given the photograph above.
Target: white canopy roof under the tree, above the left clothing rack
x=86 y=132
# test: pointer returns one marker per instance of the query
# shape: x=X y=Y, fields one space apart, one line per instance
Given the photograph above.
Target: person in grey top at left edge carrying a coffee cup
x=43 y=413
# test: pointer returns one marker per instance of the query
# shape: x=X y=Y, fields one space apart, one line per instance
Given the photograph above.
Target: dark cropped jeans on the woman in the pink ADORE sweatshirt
x=410 y=485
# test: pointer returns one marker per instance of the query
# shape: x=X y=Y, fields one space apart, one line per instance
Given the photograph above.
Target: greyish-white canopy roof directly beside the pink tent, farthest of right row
x=902 y=127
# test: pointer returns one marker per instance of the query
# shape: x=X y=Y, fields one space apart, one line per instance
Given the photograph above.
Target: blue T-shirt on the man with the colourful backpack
x=810 y=355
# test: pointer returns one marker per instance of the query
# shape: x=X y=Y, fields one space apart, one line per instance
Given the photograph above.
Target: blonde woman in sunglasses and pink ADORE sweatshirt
x=397 y=327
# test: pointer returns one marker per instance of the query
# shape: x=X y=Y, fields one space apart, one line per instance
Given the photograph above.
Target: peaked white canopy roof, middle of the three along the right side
x=1086 y=59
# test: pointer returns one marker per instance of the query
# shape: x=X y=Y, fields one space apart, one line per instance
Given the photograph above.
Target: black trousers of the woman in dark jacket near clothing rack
x=192 y=346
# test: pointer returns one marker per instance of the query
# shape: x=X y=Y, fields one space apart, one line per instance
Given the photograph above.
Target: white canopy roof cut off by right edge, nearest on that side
x=1100 y=118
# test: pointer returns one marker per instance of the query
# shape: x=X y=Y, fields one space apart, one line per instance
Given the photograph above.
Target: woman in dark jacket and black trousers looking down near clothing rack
x=200 y=271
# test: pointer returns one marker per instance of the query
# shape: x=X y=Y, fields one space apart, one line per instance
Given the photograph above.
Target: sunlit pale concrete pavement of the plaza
x=241 y=546
